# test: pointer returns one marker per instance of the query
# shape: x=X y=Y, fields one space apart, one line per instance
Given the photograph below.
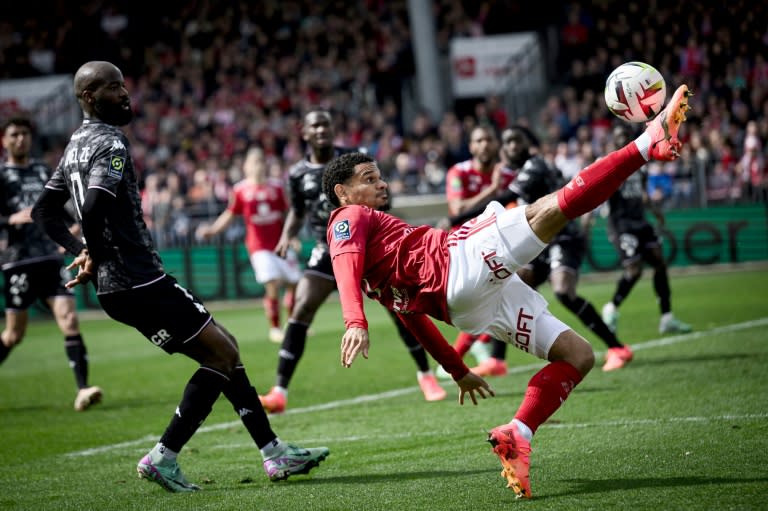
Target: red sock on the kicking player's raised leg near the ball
x=596 y=183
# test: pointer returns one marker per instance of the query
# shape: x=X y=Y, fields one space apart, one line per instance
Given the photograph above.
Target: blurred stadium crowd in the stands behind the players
x=210 y=79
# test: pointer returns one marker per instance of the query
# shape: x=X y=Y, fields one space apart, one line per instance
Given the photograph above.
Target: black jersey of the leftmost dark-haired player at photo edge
x=20 y=186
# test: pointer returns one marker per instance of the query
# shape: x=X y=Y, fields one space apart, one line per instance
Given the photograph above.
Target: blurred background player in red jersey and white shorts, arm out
x=262 y=204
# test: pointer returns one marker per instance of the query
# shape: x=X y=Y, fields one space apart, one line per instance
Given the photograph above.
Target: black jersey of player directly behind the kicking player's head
x=305 y=189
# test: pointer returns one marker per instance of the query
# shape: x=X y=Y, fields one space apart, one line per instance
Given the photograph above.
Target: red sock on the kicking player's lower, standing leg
x=546 y=391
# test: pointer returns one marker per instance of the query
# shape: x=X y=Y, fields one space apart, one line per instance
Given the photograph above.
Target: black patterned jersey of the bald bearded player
x=97 y=156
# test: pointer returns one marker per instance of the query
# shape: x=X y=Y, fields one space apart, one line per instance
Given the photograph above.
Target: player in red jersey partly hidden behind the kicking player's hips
x=467 y=184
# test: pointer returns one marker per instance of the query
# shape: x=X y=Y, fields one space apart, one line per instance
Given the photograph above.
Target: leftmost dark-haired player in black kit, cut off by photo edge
x=33 y=268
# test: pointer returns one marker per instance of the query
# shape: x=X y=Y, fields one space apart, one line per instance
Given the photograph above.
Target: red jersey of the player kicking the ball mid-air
x=404 y=267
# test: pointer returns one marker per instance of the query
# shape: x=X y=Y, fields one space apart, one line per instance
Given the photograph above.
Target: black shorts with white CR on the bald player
x=163 y=311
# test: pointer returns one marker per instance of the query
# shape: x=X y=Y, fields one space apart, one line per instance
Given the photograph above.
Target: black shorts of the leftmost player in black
x=26 y=283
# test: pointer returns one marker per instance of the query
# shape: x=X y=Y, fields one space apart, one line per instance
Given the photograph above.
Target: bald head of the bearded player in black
x=100 y=90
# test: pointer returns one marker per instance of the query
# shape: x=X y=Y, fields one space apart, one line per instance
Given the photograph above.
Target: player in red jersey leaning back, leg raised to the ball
x=468 y=278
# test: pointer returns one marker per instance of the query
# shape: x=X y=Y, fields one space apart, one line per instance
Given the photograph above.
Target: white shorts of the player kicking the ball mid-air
x=485 y=295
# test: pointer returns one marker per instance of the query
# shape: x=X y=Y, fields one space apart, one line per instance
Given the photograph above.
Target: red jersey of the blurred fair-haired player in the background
x=263 y=208
